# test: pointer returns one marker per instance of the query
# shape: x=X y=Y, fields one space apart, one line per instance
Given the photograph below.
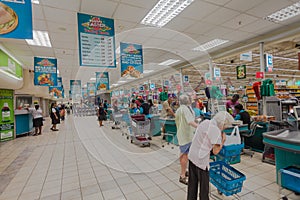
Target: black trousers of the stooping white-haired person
x=198 y=176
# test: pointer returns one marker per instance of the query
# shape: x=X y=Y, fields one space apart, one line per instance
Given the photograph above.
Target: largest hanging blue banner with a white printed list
x=96 y=41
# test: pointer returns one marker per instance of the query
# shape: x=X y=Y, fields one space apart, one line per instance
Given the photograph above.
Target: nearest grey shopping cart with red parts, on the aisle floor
x=140 y=130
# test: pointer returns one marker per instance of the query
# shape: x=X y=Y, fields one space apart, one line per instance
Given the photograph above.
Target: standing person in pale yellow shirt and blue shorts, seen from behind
x=185 y=123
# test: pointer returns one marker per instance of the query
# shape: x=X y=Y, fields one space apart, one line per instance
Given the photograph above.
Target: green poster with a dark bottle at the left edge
x=7 y=117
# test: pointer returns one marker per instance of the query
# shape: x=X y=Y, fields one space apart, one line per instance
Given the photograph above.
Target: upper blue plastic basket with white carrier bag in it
x=230 y=154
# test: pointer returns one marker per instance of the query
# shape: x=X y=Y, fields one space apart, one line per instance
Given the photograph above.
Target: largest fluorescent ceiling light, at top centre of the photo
x=164 y=11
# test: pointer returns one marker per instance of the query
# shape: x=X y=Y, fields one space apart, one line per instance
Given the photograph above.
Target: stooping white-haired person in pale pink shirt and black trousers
x=208 y=137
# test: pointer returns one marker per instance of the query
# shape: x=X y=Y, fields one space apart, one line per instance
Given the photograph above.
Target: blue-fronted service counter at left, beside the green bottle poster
x=23 y=120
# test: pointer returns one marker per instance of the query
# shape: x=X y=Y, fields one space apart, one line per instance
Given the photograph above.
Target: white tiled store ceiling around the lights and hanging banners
x=239 y=21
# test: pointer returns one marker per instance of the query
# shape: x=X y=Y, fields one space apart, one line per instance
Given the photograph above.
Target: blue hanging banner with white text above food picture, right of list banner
x=131 y=60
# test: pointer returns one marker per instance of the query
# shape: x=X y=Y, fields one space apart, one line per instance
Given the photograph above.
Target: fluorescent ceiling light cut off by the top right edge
x=285 y=13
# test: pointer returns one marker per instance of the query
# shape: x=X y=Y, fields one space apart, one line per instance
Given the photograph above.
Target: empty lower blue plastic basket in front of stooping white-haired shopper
x=226 y=179
